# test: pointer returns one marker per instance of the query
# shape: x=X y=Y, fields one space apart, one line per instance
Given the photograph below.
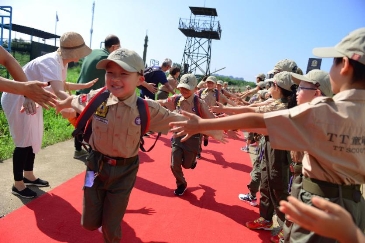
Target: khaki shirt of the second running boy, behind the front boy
x=187 y=105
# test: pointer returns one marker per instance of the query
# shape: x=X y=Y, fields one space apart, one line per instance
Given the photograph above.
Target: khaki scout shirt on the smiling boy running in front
x=116 y=124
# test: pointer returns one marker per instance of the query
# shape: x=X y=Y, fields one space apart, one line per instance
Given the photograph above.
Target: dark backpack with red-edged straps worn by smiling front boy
x=83 y=122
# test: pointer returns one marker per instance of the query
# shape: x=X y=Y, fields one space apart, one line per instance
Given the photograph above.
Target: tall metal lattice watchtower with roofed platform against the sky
x=200 y=30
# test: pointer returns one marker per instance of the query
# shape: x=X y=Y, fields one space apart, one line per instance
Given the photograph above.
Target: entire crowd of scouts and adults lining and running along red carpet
x=305 y=129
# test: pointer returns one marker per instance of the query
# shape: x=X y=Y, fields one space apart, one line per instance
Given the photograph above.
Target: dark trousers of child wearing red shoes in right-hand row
x=274 y=182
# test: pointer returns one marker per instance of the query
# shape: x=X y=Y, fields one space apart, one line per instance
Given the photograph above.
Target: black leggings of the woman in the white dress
x=23 y=160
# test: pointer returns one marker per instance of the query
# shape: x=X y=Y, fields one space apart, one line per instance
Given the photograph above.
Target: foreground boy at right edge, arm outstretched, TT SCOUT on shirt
x=330 y=130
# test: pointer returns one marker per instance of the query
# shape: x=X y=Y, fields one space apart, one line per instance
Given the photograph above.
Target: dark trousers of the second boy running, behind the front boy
x=183 y=155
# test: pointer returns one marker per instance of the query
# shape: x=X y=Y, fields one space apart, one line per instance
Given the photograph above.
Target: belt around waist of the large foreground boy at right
x=330 y=190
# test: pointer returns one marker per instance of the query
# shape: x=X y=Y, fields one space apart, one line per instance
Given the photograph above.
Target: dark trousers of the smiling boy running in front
x=105 y=202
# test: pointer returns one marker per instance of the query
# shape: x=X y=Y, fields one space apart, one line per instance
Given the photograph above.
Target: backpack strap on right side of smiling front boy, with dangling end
x=144 y=113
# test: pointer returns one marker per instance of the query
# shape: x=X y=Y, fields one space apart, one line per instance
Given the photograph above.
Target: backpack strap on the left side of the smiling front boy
x=89 y=110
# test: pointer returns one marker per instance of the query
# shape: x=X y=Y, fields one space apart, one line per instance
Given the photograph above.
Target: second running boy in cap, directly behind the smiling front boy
x=184 y=153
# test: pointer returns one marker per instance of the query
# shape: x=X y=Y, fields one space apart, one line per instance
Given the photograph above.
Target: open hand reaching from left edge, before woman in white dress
x=35 y=91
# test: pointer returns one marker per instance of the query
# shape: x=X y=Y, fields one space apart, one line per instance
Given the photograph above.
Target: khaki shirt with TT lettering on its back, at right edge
x=331 y=131
